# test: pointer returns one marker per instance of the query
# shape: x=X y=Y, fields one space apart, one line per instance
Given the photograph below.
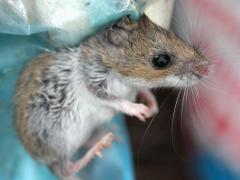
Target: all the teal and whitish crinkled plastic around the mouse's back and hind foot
x=66 y=23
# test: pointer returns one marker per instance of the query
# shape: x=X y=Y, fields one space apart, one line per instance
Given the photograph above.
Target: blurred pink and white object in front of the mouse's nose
x=215 y=110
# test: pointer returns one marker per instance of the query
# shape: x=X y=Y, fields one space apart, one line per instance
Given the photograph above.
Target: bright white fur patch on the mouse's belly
x=88 y=117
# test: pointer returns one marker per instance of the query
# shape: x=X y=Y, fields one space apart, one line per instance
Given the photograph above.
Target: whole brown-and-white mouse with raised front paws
x=62 y=96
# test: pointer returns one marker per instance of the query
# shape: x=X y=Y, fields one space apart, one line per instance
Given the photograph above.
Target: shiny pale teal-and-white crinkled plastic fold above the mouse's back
x=67 y=21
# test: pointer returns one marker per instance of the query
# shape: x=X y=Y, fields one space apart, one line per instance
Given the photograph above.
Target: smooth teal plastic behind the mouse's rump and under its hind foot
x=16 y=163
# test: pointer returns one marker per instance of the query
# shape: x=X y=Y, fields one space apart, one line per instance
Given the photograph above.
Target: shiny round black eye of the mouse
x=161 y=61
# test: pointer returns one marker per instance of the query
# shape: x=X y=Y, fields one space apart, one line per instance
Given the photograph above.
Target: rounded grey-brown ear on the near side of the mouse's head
x=118 y=37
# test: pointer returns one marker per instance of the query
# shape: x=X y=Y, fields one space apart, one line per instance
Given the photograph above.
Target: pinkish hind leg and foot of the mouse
x=67 y=169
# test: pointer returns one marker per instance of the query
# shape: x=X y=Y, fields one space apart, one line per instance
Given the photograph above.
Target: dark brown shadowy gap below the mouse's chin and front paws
x=160 y=145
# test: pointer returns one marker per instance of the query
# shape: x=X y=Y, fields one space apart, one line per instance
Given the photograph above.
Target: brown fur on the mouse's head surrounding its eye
x=146 y=39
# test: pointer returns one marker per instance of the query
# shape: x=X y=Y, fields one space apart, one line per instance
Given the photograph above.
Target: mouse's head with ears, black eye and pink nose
x=149 y=55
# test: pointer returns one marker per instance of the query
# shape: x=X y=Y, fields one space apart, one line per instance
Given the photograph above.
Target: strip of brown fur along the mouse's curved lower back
x=31 y=80
